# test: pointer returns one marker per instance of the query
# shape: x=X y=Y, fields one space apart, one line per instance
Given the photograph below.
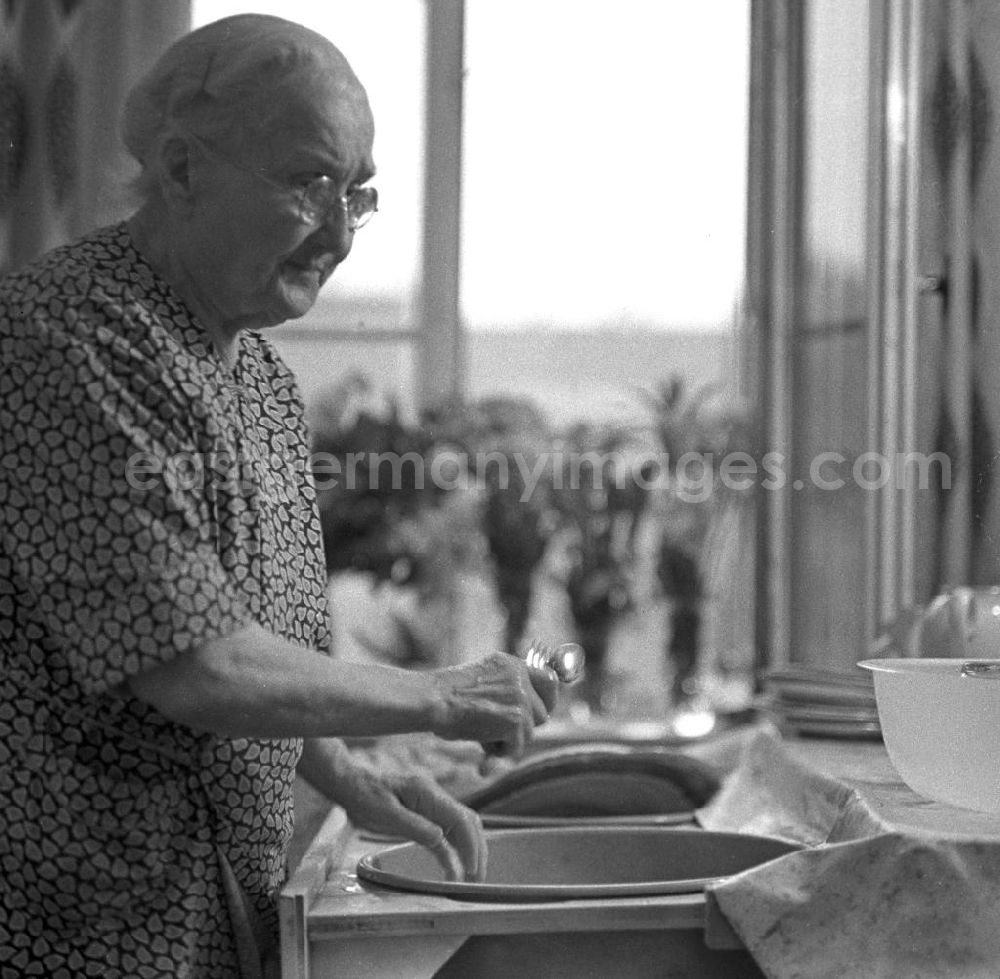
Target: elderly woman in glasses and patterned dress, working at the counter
x=162 y=597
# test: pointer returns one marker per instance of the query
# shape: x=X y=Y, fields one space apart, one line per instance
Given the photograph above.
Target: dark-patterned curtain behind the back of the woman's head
x=65 y=68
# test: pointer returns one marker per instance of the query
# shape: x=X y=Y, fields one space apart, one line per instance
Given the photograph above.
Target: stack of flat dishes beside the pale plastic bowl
x=821 y=703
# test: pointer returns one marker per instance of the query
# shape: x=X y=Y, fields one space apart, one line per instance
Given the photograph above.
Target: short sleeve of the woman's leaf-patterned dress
x=105 y=521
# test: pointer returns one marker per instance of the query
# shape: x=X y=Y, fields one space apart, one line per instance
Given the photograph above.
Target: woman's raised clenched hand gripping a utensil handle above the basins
x=496 y=700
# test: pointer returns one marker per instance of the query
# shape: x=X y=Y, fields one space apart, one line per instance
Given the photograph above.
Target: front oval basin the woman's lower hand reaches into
x=582 y=862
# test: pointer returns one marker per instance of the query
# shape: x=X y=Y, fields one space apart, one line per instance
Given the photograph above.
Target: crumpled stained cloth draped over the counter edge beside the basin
x=863 y=899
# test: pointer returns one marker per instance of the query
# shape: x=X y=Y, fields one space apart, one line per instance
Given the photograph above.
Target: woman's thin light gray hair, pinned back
x=215 y=82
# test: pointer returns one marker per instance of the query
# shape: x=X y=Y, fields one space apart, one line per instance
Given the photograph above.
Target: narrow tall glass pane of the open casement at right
x=831 y=384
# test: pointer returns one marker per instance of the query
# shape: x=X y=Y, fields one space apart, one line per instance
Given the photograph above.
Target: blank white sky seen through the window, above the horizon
x=605 y=154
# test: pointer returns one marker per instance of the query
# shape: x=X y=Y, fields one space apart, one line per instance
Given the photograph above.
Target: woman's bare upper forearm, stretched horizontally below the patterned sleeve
x=254 y=684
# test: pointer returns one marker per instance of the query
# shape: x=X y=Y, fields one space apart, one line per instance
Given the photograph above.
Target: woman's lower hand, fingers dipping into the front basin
x=417 y=808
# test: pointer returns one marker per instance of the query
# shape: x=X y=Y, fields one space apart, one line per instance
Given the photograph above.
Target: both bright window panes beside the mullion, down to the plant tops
x=604 y=155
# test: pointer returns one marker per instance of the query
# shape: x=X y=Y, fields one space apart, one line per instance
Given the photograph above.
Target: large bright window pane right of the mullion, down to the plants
x=604 y=186
